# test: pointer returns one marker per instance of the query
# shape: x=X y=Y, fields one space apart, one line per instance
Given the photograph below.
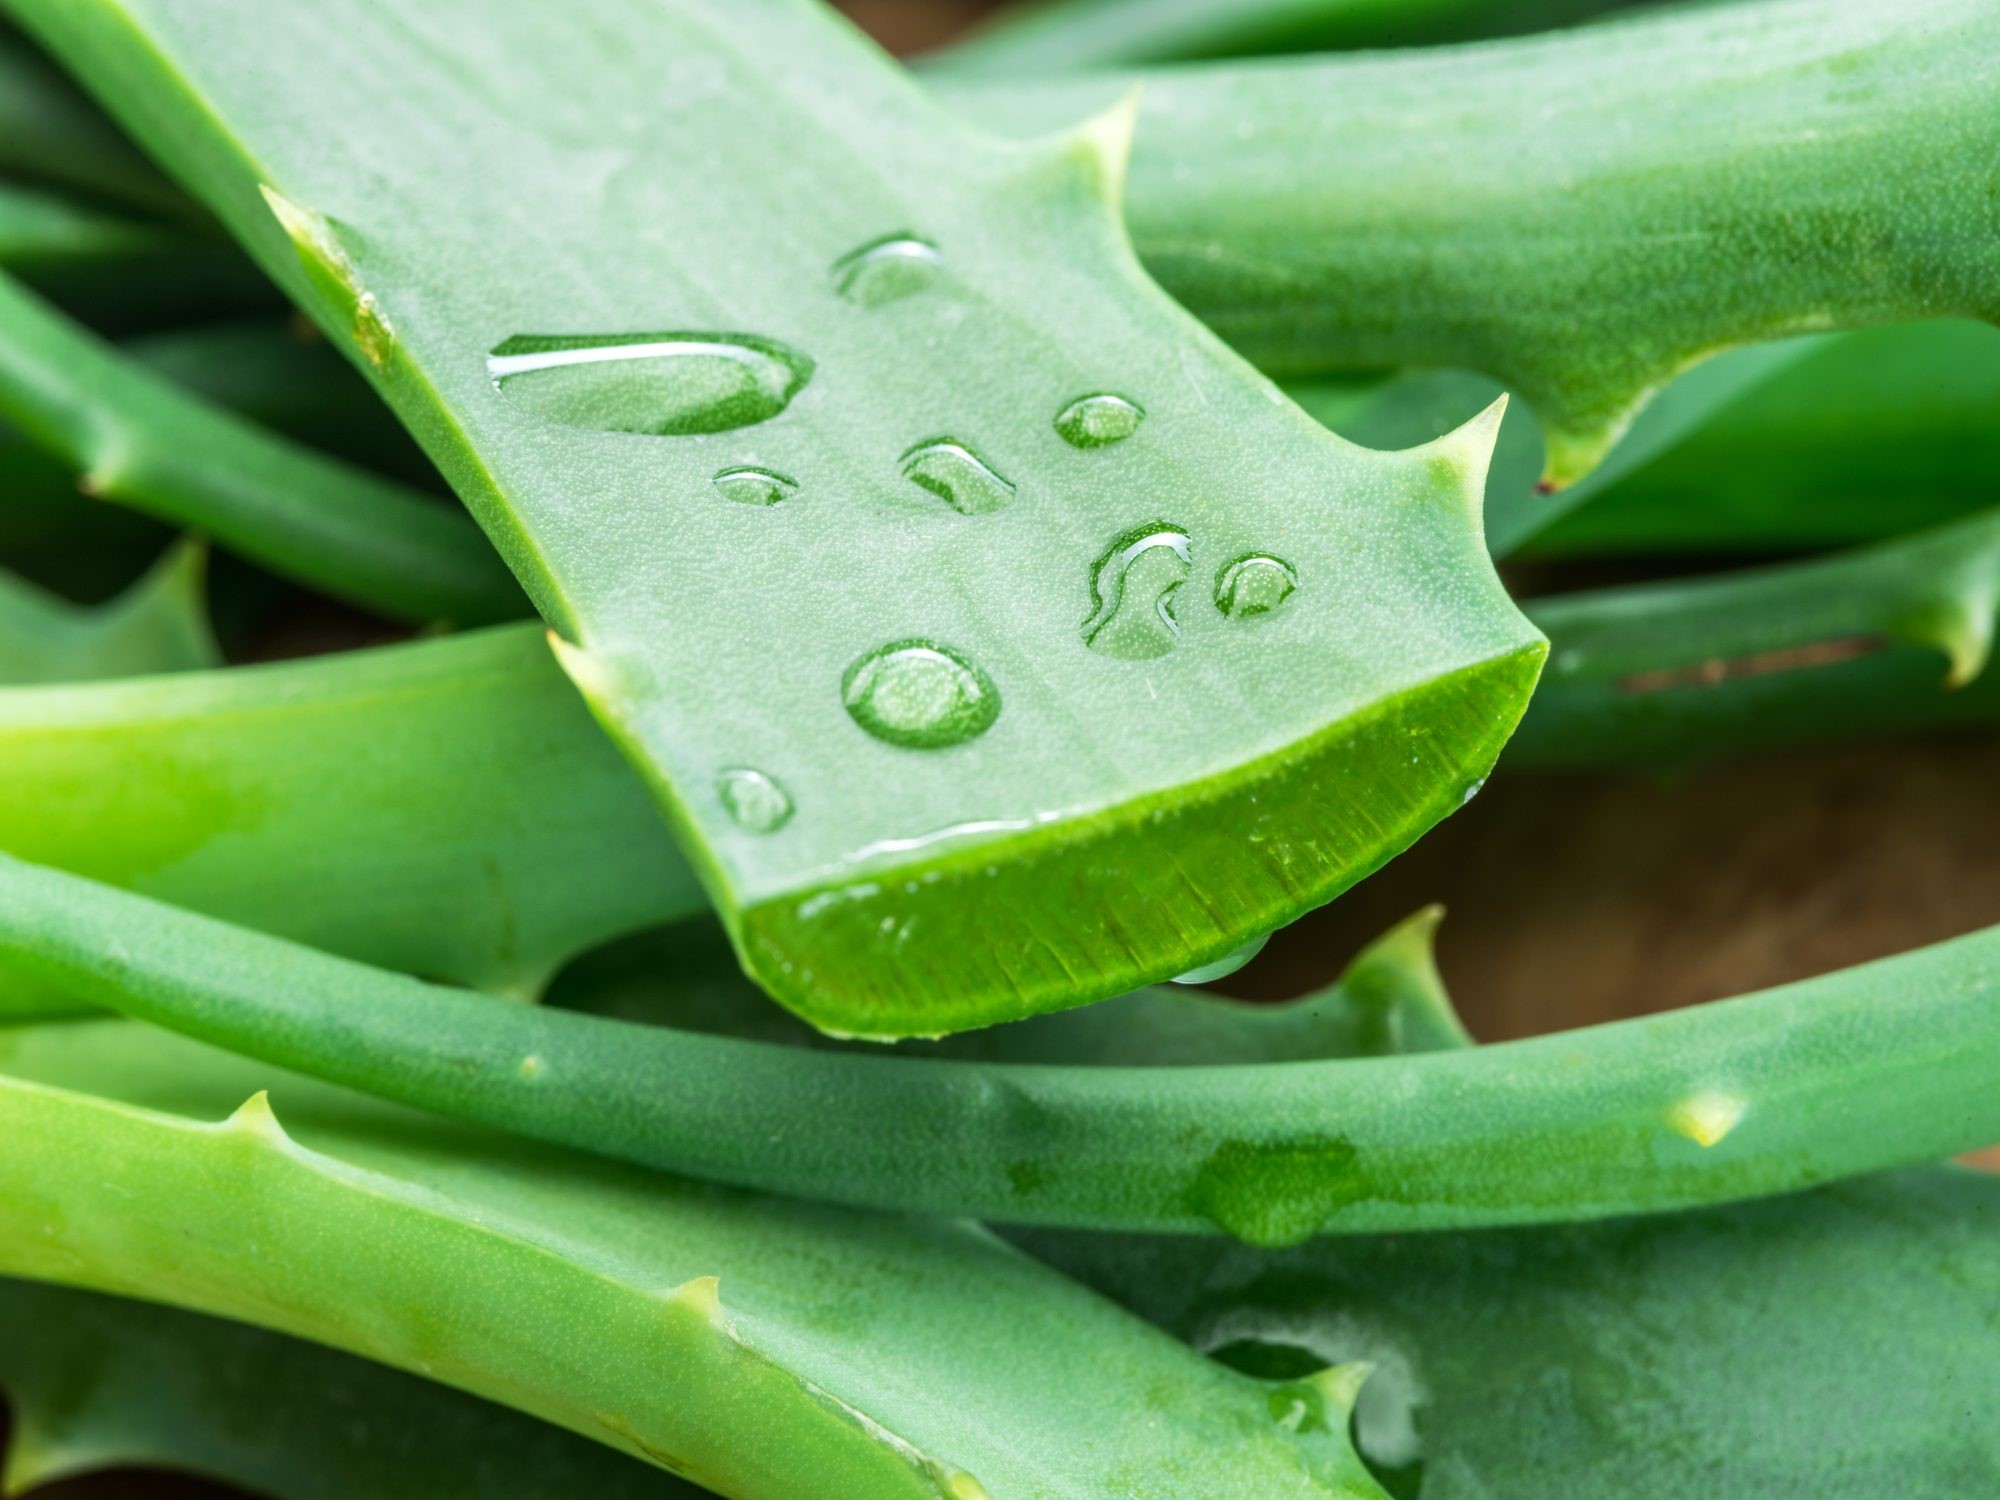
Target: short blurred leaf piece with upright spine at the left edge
x=159 y=625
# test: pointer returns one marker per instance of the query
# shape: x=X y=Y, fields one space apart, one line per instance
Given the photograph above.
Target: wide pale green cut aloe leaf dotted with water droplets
x=869 y=699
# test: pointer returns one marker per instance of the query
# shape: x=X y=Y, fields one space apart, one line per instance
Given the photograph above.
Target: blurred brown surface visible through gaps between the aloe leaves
x=1587 y=899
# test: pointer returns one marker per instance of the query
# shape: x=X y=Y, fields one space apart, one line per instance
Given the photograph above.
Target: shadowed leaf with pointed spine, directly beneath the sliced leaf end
x=1389 y=1001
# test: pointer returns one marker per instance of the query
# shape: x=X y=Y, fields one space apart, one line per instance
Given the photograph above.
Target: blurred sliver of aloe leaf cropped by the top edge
x=1055 y=37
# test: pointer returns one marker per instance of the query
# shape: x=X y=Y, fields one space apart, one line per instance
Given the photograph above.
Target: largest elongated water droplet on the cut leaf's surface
x=659 y=385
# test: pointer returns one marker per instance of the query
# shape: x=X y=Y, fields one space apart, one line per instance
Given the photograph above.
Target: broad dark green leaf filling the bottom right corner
x=1815 y=1345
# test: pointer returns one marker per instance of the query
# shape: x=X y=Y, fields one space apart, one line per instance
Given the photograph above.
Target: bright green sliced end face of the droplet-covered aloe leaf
x=1083 y=909
